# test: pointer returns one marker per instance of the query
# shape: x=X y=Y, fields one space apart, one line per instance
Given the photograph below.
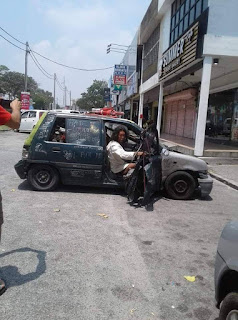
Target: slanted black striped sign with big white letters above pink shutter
x=180 y=54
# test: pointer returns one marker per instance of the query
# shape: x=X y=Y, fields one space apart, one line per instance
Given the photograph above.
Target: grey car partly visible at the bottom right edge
x=226 y=272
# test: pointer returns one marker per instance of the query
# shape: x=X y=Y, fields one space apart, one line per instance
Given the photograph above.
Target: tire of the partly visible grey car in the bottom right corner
x=229 y=306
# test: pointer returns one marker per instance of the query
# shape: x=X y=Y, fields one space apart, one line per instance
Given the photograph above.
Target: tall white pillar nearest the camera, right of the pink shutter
x=203 y=105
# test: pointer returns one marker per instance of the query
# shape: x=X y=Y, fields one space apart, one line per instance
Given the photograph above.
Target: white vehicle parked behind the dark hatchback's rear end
x=29 y=119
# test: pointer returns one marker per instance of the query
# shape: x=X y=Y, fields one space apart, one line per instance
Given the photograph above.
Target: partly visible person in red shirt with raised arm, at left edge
x=12 y=120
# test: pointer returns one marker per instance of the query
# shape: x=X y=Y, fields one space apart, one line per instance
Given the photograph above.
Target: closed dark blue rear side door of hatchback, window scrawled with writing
x=79 y=157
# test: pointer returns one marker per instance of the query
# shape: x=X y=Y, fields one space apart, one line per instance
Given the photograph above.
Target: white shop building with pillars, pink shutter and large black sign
x=196 y=79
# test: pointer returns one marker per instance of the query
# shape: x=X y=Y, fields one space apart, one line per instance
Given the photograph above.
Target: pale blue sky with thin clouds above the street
x=72 y=32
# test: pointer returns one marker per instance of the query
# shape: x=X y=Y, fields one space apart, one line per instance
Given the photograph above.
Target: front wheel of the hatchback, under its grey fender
x=180 y=185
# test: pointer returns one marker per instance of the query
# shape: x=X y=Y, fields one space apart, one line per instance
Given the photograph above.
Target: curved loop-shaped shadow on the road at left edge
x=13 y=277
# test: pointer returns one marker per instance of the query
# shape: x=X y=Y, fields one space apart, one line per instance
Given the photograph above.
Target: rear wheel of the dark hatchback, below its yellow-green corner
x=43 y=178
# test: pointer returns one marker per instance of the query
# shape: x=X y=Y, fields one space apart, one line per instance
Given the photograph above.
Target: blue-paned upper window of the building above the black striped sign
x=184 y=13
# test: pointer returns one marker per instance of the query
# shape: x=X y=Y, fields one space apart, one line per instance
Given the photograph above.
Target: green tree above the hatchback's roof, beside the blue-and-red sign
x=94 y=97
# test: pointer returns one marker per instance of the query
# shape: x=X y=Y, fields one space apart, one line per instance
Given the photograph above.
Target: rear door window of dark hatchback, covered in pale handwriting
x=83 y=132
